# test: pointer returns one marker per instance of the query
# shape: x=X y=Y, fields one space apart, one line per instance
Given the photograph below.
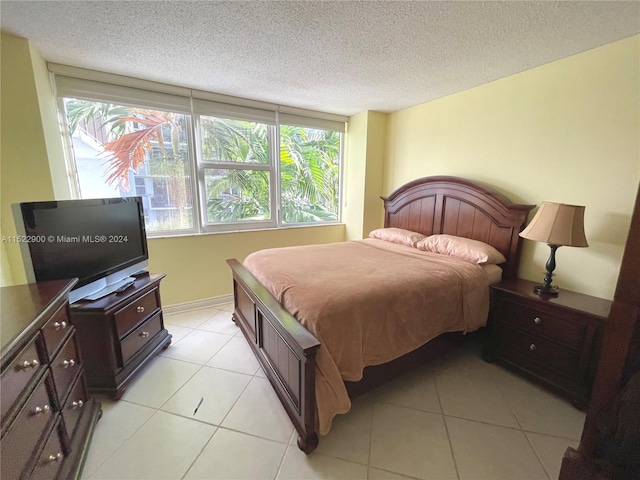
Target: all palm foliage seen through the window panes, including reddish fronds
x=309 y=161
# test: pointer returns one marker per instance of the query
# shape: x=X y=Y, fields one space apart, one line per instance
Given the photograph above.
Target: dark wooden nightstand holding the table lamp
x=552 y=339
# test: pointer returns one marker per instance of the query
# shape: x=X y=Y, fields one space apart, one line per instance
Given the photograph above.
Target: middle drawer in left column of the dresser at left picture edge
x=25 y=432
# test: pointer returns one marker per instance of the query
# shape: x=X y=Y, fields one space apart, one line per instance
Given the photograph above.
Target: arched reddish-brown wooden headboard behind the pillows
x=457 y=206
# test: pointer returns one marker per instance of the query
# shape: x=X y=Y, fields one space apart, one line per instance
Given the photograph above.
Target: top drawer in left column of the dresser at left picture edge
x=17 y=375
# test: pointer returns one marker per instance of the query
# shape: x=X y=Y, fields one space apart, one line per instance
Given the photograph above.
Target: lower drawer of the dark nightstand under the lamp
x=536 y=351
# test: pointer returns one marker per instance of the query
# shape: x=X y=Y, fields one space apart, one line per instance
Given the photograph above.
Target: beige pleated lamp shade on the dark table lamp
x=557 y=224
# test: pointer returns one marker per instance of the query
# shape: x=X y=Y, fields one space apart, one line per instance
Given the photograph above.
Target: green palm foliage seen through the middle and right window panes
x=309 y=172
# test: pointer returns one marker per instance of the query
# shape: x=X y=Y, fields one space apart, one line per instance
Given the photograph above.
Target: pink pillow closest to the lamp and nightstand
x=472 y=251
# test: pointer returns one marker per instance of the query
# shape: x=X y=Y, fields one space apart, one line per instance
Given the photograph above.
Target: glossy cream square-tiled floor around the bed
x=458 y=418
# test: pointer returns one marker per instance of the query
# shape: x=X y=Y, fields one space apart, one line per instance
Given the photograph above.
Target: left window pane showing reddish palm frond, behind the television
x=127 y=151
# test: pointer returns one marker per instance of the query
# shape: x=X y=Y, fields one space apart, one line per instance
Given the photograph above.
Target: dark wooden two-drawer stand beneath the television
x=120 y=333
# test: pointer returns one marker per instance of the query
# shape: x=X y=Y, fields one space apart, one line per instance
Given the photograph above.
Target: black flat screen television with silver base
x=102 y=242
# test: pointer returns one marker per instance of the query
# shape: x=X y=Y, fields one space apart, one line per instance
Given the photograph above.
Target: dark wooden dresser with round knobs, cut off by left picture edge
x=47 y=416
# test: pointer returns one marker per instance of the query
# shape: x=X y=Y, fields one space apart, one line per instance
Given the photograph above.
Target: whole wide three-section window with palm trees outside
x=199 y=164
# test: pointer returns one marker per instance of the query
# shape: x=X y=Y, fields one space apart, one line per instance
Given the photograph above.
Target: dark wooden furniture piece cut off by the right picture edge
x=610 y=443
